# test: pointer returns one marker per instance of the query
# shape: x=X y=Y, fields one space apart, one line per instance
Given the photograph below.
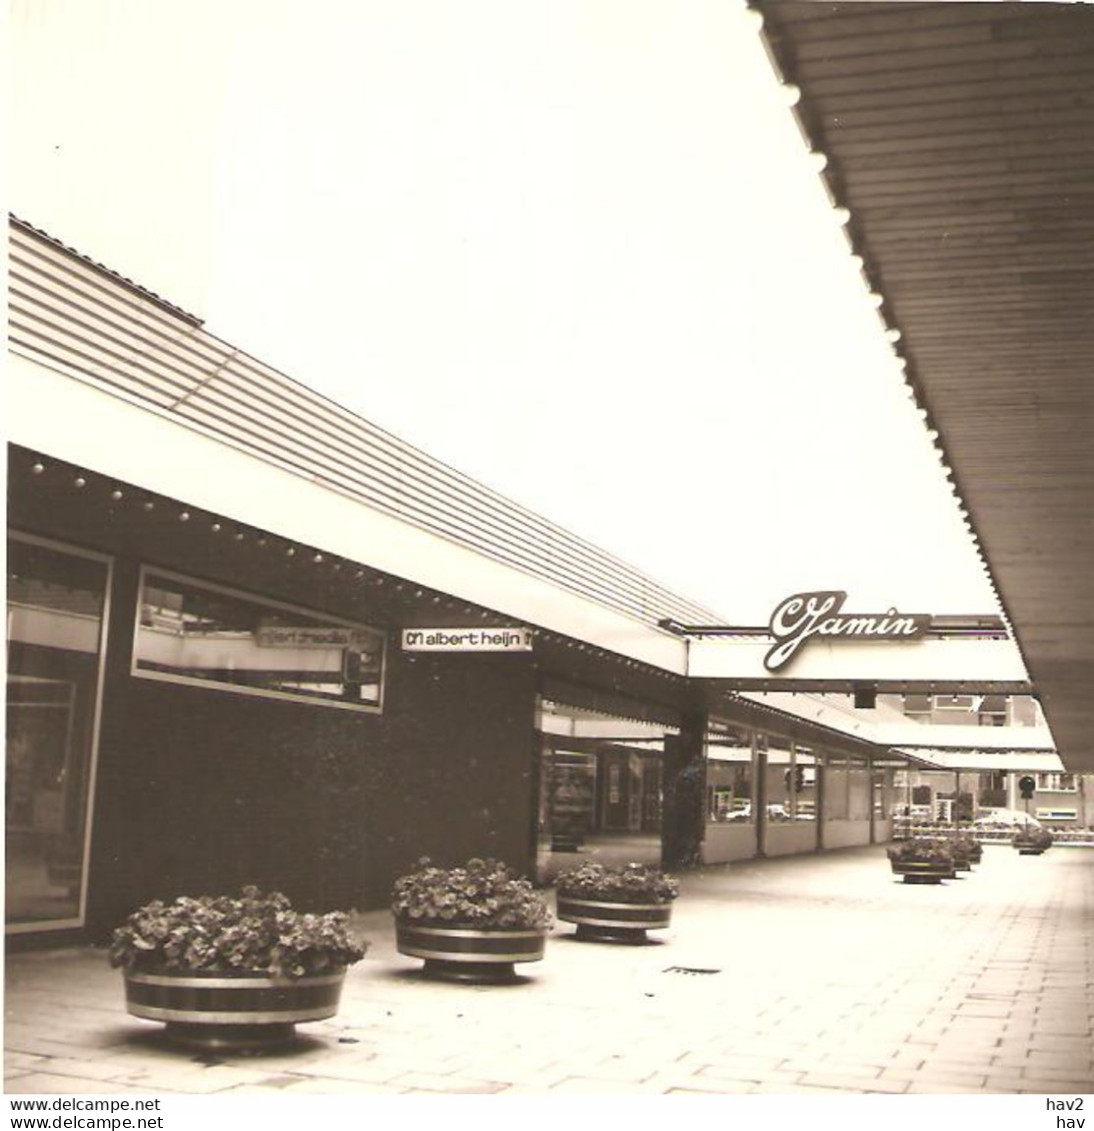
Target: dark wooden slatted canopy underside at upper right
x=961 y=137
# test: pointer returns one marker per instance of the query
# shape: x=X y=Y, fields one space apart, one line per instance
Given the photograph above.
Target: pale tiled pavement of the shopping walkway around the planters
x=833 y=978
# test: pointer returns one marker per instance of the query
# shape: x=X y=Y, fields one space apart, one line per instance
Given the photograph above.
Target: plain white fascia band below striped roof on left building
x=72 y=420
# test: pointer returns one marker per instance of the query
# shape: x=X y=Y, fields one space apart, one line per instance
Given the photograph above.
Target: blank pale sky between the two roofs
x=574 y=248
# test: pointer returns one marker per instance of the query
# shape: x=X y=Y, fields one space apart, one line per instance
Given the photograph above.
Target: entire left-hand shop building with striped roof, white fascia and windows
x=252 y=640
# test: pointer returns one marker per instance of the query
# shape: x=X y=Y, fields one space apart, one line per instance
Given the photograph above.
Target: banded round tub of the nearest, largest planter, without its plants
x=217 y=1011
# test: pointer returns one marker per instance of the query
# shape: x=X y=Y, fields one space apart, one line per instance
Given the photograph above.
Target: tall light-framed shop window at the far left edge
x=57 y=602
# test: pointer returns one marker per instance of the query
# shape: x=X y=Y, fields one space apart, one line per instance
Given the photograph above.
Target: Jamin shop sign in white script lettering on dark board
x=817 y=615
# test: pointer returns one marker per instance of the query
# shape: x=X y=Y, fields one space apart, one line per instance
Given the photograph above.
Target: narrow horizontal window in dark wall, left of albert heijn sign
x=204 y=635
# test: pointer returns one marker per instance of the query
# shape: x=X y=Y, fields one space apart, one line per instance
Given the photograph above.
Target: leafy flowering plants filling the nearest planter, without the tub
x=255 y=933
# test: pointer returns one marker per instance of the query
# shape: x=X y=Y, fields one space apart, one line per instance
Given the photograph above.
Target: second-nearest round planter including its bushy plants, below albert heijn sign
x=470 y=923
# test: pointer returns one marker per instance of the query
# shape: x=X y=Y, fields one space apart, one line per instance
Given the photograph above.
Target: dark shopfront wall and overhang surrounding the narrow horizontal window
x=201 y=791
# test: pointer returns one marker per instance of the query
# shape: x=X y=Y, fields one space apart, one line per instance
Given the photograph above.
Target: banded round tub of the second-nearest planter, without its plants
x=461 y=954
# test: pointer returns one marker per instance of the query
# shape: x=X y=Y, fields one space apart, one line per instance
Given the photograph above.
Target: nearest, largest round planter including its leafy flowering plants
x=234 y=973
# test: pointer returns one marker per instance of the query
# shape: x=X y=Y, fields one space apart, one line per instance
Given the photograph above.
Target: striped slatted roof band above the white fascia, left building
x=68 y=314
